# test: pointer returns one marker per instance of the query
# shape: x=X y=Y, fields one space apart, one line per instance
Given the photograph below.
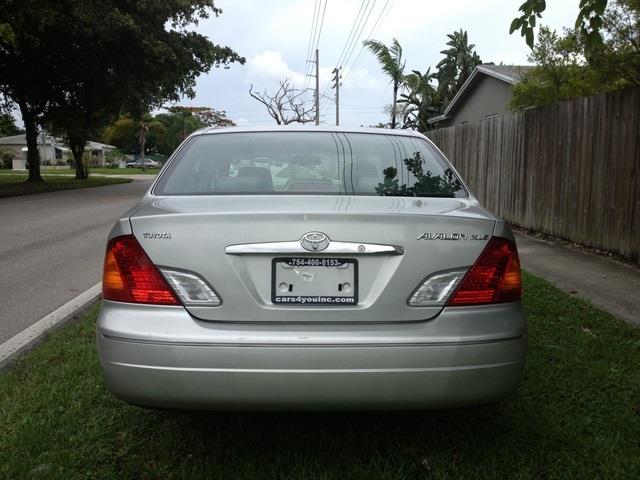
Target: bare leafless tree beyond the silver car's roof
x=286 y=106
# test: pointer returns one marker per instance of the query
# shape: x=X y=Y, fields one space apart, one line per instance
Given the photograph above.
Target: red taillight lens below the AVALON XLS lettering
x=494 y=278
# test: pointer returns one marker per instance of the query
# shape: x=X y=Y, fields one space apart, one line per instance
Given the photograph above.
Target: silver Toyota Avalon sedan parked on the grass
x=312 y=268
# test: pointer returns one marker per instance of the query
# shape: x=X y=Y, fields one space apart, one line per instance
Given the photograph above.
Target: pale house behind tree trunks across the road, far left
x=52 y=150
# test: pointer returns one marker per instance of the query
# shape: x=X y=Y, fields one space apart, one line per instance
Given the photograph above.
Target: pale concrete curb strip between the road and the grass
x=33 y=335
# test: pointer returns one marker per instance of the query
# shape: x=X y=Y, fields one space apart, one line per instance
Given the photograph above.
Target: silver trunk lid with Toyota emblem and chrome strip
x=232 y=241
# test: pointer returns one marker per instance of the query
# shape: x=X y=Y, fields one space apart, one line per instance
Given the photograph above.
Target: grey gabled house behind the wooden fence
x=485 y=94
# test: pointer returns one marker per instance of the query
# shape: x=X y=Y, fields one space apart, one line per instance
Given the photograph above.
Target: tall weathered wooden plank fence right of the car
x=571 y=169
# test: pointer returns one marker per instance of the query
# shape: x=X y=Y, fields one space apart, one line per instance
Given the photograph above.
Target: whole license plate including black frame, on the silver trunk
x=314 y=281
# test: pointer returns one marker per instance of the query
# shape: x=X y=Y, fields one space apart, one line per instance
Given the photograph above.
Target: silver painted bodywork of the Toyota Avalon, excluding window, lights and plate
x=249 y=353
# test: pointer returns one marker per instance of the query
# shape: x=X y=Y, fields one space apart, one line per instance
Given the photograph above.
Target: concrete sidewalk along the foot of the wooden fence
x=608 y=284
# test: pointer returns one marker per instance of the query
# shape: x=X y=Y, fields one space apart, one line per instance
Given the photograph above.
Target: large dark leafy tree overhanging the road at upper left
x=62 y=67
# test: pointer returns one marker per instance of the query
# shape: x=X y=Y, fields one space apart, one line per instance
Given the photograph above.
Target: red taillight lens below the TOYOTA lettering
x=129 y=275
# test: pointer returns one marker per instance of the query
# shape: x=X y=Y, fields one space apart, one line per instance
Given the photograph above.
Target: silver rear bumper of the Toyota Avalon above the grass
x=279 y=367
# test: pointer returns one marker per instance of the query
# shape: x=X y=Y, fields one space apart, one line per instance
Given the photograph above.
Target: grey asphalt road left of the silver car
x=52 y=248
